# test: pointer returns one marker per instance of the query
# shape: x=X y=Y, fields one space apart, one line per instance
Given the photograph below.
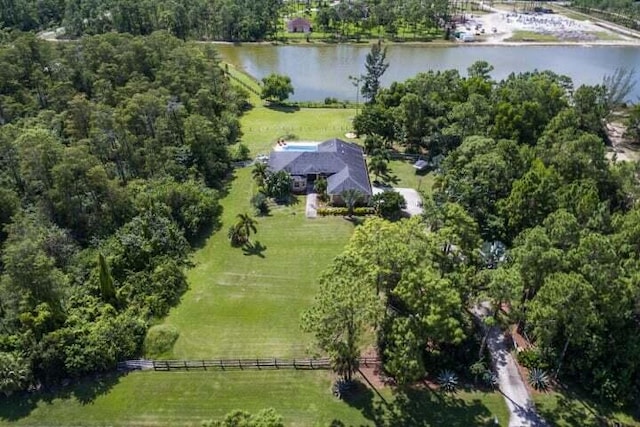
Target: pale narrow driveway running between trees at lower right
x=512 y=387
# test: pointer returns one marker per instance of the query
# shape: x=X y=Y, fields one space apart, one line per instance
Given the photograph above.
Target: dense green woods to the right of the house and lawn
x=528 y=214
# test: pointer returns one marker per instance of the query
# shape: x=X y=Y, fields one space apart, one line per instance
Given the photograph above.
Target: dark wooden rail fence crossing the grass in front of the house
x=234 y=364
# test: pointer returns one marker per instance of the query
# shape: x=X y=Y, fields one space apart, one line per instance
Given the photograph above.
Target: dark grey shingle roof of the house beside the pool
x=342 y=162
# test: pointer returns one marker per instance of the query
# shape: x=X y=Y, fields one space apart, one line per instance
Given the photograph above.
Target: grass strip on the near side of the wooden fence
x=303 y=398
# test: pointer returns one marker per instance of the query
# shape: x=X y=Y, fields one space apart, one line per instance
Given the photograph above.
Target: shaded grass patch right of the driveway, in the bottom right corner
x=569 y=409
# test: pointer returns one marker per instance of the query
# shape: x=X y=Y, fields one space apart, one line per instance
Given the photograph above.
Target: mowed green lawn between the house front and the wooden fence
x=249 y=305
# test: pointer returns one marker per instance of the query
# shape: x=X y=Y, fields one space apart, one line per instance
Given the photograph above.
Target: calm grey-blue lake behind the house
x=323 y=71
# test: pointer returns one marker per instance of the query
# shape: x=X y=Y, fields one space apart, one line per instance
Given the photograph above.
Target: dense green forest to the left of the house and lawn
x=113 y=154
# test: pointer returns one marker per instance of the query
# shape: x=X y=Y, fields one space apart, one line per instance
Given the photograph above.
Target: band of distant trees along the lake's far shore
x=229 y=20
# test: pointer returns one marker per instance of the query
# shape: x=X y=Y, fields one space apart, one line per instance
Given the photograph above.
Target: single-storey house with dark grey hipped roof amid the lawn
x=341 y=163
